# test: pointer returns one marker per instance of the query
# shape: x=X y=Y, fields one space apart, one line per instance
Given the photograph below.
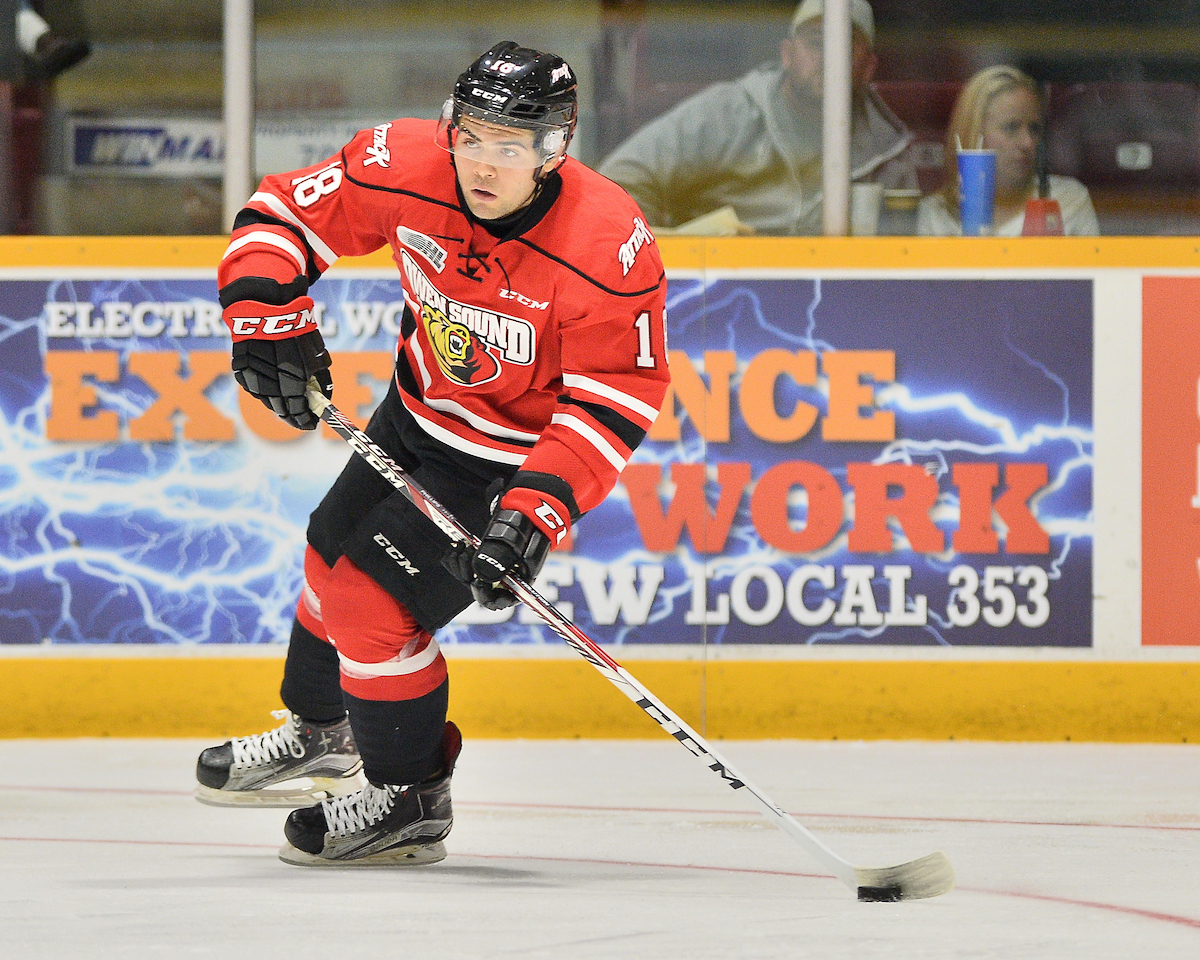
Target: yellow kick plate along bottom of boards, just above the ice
x=566 y=699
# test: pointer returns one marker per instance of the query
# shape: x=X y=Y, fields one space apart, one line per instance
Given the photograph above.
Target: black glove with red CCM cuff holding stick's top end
x=277 y=350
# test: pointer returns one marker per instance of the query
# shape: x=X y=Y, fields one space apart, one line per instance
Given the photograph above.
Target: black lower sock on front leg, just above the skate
x=400 y=741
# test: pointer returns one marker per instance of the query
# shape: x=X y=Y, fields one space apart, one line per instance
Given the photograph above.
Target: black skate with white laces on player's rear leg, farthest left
x=291 y=766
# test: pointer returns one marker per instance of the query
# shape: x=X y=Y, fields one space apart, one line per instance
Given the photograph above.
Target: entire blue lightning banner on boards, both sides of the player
x=851 y=461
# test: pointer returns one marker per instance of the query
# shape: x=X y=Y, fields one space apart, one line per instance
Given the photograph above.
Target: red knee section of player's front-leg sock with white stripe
x=385 y=653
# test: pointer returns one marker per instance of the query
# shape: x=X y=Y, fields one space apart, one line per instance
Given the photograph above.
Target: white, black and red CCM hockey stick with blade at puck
x=928 y=877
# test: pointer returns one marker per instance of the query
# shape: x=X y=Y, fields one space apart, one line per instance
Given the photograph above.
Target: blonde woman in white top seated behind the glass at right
x=1001 y=110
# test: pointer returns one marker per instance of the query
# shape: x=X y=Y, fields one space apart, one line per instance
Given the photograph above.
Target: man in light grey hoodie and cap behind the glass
x=754 y=145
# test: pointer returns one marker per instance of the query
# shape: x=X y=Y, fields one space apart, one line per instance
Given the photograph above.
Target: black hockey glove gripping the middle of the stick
x=512 y=544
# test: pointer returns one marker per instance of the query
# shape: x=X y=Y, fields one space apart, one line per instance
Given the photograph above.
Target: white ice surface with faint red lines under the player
x=621 y=850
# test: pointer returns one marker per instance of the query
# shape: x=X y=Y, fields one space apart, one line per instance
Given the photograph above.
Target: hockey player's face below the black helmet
x=487 y=158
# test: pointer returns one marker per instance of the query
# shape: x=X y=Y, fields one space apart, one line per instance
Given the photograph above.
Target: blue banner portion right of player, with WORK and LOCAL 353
x=865 y=461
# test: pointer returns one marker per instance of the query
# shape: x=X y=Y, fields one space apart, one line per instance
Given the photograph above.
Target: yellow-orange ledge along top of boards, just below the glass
x=685 y=253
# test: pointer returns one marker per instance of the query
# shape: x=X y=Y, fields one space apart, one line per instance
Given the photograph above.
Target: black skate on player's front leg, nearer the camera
x=380 y=826
